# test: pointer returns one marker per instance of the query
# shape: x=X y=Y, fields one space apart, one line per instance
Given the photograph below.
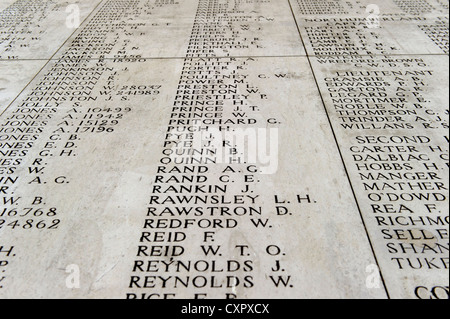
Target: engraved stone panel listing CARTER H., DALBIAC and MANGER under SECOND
x=390 y=117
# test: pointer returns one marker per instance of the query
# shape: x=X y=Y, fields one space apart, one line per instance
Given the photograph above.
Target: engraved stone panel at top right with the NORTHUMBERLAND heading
x=332 y=28
